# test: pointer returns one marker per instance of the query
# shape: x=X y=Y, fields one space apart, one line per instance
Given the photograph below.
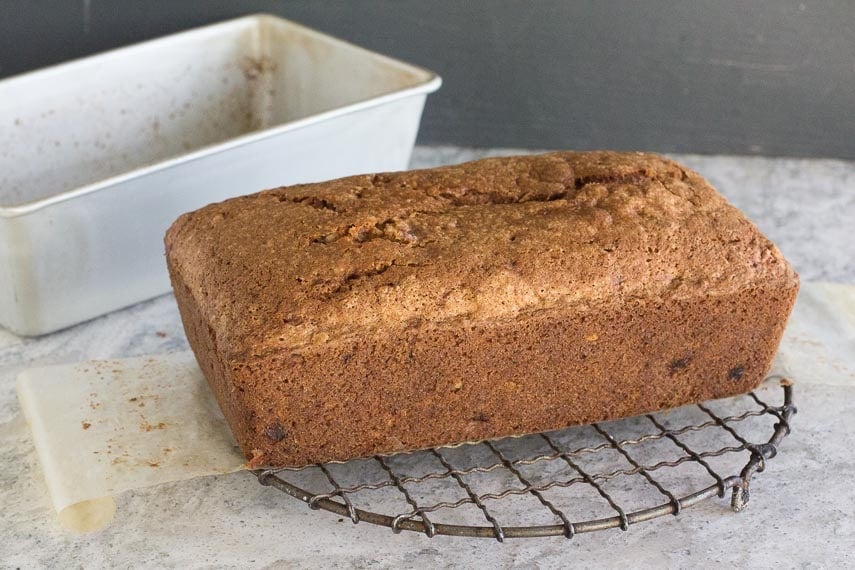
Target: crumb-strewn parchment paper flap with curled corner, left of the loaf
x=104 y=427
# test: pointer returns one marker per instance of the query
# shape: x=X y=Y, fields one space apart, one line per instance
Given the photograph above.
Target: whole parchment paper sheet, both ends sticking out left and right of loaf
x=101 y=428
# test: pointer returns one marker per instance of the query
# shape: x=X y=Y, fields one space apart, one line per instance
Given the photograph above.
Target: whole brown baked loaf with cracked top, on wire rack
x=374 y=314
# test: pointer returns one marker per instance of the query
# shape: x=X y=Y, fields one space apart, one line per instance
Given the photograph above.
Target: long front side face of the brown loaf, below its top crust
x=419 y=388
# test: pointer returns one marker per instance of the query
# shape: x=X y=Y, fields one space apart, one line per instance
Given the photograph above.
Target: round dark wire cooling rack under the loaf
x=581 y=479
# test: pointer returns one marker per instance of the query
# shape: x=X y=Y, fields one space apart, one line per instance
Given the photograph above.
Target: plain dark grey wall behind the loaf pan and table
x=765 y=77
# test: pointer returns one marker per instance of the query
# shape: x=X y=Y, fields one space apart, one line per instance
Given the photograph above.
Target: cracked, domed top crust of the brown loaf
x=500 y=238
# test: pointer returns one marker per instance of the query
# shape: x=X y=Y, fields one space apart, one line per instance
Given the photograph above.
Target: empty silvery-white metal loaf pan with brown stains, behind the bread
x=100 y=155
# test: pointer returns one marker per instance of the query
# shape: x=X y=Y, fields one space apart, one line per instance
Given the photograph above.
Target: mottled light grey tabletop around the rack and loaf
x=800 y=513
